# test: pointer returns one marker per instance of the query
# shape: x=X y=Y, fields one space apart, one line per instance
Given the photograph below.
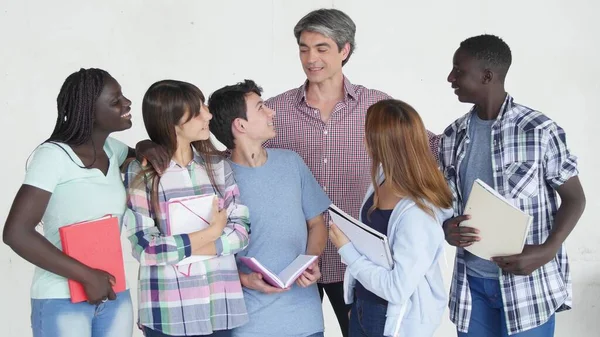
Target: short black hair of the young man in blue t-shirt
x=227 y=104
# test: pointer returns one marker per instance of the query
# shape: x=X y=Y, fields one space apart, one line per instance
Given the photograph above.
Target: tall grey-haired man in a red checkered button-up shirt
x=323 y=121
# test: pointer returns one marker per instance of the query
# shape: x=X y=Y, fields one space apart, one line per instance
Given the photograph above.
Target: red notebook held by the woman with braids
x=97 y=244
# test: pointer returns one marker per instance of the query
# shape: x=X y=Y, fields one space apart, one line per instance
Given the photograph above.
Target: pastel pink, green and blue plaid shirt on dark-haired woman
x=201 y=297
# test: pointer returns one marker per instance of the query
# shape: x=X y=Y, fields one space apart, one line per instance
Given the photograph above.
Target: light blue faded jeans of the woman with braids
x=61 y=318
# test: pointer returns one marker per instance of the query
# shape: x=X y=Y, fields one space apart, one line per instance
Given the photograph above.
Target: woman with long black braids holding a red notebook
x=74 y=176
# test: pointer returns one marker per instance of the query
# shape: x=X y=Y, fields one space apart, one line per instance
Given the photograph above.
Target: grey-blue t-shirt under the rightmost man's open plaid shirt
x=477 y=164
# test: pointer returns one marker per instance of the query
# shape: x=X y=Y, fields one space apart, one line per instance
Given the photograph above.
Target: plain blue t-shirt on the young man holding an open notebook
x=281 y=196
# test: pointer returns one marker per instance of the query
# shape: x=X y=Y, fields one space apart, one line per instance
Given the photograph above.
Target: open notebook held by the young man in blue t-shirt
x=287 y=276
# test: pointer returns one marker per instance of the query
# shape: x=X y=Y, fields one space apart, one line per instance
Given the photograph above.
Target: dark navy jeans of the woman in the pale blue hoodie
x=367 y=319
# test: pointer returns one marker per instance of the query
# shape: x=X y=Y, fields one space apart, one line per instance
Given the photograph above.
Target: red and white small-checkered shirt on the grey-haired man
x=334 y=151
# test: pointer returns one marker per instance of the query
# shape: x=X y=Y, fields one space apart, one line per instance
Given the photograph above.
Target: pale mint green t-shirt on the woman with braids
x=78 y=194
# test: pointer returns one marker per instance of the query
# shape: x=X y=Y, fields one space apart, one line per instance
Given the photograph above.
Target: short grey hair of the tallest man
x=331 y=23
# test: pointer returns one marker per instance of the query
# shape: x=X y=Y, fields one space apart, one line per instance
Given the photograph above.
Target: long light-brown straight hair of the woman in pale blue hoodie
x=397 y=142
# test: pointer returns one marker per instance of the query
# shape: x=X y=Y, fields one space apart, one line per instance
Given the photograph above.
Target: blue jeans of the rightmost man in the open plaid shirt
x=487 y=316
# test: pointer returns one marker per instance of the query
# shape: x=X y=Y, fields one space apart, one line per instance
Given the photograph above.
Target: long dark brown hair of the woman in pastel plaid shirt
x=163 y=106
